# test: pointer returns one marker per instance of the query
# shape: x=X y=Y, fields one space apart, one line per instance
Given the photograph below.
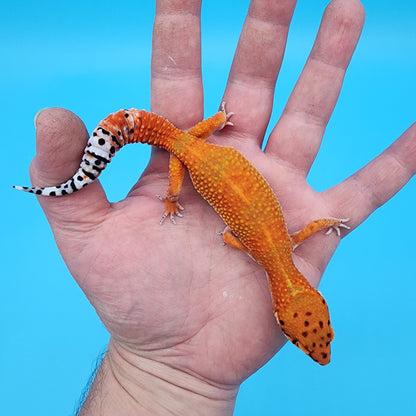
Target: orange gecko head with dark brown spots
x=305 y=322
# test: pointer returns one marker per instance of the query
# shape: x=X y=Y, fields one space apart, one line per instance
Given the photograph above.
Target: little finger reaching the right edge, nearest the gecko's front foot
x=373 y=185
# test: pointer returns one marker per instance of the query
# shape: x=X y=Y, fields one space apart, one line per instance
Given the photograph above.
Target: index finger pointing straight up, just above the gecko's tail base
x=176 y=87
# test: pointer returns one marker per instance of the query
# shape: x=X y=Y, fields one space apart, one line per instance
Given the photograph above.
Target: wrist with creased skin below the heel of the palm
x=126 y=384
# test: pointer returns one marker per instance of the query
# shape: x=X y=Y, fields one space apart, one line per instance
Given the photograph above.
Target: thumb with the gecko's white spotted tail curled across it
x=60 y=141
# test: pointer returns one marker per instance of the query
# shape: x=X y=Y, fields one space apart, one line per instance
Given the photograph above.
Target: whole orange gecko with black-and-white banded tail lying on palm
x=239 y=194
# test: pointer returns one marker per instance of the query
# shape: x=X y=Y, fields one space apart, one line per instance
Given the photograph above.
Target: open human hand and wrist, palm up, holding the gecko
x=190 y=319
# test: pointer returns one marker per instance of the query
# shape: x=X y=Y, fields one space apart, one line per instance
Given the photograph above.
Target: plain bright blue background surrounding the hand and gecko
x=94 y=58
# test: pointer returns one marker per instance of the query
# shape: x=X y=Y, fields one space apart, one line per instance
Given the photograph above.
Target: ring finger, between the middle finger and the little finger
x=298 y=134
